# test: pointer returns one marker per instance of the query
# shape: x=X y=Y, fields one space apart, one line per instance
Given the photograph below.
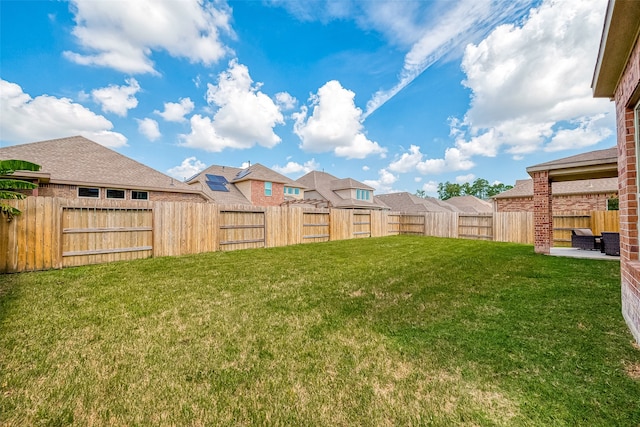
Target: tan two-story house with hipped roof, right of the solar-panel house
x=338 y=193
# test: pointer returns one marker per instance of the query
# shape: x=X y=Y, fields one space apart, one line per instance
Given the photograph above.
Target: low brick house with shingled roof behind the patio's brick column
x=581 y=195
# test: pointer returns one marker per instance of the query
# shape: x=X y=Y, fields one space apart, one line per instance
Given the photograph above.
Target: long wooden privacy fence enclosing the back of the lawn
x=56 y=233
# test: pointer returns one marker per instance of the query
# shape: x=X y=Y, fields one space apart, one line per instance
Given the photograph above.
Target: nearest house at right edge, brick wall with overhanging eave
x=617 y=77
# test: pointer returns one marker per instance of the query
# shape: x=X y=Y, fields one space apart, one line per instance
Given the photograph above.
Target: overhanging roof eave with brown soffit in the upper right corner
x=619 y=35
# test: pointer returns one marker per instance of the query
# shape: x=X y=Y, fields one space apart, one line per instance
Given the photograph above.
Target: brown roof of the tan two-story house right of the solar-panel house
x=326 y=185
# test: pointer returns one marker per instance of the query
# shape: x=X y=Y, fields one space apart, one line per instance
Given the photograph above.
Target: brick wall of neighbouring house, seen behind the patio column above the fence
x=577 y=202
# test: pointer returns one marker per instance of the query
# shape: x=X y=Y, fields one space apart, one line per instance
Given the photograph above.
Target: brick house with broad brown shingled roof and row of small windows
x=77 y=167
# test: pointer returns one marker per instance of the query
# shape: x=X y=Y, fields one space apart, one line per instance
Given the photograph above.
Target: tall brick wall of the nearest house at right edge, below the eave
x=626 y=97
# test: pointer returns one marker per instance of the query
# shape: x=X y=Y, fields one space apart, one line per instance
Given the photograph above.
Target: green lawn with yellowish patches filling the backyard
x=389 y=331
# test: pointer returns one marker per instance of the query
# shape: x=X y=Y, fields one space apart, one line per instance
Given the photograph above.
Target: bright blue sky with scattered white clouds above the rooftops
x=400 y=95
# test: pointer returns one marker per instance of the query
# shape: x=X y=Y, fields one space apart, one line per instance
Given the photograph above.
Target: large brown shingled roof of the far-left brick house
x=79 y=161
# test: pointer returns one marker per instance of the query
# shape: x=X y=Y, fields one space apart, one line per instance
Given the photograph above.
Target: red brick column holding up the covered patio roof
x=542 y=212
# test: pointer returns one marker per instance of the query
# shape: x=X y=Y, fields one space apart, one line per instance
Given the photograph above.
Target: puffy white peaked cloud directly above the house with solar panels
x=245 y=116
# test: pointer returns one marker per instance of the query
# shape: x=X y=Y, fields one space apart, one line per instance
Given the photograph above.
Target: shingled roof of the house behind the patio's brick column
x=524 y=188
